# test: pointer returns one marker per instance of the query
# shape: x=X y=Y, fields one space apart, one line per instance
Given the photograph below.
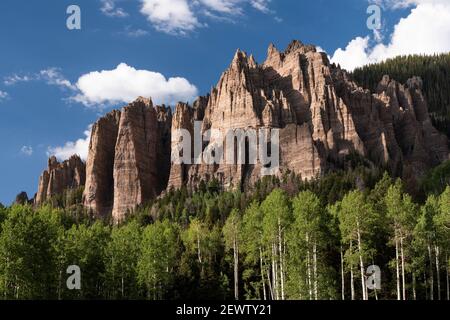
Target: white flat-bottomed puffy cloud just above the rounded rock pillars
x=125 y=84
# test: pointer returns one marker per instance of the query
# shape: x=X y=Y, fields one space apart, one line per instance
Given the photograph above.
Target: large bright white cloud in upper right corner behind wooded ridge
x=426 y=30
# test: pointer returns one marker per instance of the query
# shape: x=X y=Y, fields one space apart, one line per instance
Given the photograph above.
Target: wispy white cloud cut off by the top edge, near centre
x=180 y=17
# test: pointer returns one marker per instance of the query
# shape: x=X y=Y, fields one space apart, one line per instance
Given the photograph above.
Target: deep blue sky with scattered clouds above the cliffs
x=49 y=95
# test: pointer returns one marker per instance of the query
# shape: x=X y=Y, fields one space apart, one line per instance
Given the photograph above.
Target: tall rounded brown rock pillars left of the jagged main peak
x=128 y=154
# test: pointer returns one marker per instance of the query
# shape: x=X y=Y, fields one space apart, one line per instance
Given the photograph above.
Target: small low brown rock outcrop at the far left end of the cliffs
x=58 y=177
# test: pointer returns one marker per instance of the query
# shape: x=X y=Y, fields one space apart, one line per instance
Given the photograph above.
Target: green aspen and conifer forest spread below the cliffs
x=280 y=239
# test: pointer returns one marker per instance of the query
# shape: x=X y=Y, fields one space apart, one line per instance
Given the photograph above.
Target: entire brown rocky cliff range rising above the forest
x=321 y=114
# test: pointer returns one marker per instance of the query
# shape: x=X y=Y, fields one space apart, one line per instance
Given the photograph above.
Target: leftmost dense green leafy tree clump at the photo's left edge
x=28 y=267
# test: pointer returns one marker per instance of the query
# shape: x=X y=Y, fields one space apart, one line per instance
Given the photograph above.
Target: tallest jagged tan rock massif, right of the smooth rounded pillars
x=321 y=114
